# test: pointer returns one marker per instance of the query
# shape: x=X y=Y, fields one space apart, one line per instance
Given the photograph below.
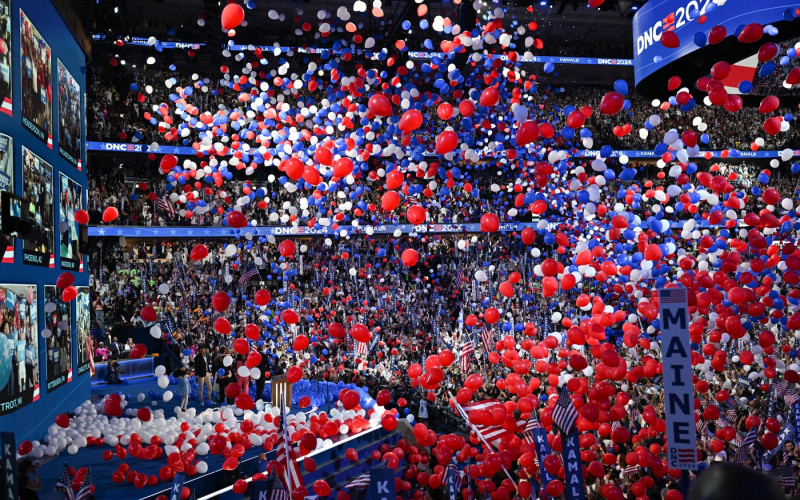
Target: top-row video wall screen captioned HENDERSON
x=37 y=89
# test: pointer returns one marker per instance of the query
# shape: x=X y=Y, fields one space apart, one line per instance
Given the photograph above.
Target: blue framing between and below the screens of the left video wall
x=31 y=421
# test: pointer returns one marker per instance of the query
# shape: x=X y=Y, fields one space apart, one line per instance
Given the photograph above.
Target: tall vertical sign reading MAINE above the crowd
x=678 y=391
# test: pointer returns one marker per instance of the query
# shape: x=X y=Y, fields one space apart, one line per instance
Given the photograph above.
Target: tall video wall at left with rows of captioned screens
x=42 y=185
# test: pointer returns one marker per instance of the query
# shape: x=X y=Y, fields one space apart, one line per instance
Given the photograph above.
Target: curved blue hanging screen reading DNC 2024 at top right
x=683 y=17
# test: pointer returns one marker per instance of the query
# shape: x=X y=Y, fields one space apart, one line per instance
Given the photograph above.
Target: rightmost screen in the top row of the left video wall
x=70 y=140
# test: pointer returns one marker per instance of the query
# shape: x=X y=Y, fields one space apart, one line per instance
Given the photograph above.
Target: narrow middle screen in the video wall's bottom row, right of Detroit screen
x=58 y=338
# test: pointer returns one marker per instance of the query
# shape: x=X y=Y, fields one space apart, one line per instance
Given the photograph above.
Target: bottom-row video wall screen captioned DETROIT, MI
x=19 y=347
